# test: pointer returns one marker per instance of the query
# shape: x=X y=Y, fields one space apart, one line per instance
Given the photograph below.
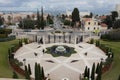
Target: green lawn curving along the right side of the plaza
x=114 y=72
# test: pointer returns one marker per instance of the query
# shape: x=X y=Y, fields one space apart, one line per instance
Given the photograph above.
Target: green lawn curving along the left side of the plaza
x=5 y=69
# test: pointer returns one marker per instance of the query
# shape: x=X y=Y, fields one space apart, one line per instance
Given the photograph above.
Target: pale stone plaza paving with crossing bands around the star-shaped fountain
x=94 y=55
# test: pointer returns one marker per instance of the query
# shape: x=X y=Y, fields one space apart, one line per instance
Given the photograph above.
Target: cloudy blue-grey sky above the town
x=97 y=6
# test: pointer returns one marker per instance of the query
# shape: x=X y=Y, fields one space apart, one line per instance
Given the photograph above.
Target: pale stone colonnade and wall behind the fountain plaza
x=53 y=36
